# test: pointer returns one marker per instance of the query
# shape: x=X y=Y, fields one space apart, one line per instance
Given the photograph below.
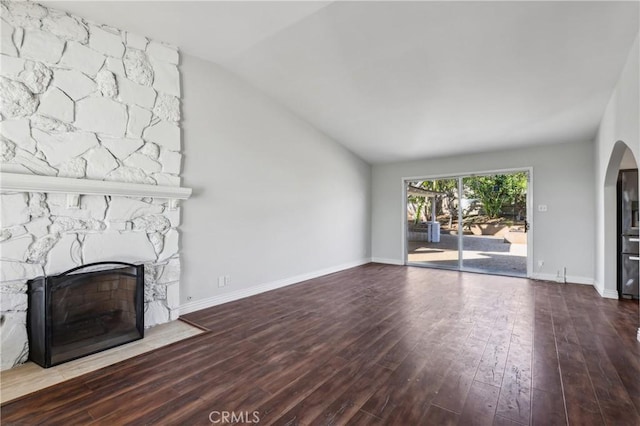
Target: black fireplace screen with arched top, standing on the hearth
x=85 y=310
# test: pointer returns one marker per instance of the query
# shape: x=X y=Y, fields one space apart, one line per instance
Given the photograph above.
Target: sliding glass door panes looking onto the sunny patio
x=472 y=223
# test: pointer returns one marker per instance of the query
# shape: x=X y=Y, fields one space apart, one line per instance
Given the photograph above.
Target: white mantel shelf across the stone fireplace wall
x=14 y=182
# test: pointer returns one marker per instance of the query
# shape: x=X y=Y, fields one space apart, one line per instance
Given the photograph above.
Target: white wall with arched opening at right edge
x=619 y=130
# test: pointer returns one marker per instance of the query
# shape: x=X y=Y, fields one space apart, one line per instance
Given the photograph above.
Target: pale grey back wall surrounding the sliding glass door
x=562 y=179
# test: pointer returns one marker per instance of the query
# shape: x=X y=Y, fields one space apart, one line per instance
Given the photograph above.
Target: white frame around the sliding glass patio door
x=530 y=218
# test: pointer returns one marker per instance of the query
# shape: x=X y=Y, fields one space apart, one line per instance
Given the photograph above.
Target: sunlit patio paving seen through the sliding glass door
x=481 y=253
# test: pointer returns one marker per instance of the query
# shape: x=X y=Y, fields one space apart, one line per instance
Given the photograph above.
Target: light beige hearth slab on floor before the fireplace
x=30 y=377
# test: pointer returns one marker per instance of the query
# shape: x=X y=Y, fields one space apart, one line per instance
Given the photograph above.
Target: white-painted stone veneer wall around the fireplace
x=83 y=100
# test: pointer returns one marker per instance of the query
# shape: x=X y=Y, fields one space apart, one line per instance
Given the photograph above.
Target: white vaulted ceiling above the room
x=406 y=80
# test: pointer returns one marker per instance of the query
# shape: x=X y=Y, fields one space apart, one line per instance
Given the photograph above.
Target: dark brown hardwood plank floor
x=377 y=345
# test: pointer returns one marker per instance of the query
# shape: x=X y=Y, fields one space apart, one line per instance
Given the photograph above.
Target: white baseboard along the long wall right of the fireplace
x=208 y=302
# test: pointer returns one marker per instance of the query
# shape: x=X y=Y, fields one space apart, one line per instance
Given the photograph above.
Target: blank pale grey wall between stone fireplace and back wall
x=274 y=200
